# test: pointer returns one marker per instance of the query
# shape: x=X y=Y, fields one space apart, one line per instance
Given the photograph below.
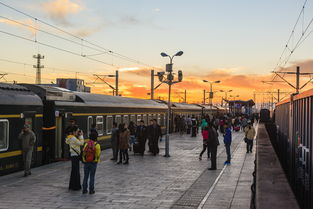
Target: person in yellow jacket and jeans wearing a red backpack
x=91 y=158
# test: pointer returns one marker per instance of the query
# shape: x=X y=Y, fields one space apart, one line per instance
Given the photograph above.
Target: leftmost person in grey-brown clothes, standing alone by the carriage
x=28 y=139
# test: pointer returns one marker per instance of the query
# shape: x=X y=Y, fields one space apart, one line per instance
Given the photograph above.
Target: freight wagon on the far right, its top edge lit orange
x=294 y=121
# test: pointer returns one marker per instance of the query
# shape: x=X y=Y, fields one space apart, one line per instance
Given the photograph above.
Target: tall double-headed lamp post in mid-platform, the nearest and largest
x=169 y=81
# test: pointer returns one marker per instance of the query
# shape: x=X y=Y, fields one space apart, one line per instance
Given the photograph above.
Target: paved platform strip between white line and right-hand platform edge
x=232 y=191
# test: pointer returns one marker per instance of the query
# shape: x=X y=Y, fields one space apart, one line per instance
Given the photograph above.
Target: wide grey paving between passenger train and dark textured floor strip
x=147 y=182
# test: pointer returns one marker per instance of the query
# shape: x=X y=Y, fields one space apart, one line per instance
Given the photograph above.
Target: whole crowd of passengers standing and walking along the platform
x=134 y=137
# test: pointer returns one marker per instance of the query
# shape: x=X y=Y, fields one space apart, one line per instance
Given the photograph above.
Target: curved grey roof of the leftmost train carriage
x=12 y=94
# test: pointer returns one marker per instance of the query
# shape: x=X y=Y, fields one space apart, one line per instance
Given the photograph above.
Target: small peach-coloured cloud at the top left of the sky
x=59 y=10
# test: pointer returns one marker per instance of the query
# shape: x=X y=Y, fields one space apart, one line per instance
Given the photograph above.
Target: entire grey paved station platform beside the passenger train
x=178 y=182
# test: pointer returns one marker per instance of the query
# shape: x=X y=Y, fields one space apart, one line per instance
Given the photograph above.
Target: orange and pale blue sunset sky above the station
x=236 y=42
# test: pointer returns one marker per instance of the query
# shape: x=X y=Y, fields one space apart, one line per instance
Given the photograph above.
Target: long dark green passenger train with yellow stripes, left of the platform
x=49 y=109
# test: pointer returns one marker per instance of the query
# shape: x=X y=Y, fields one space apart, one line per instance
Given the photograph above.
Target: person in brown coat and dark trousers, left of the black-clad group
x=123 y=145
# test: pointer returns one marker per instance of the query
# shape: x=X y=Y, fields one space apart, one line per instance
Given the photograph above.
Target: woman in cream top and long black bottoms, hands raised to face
x=75 y=140
